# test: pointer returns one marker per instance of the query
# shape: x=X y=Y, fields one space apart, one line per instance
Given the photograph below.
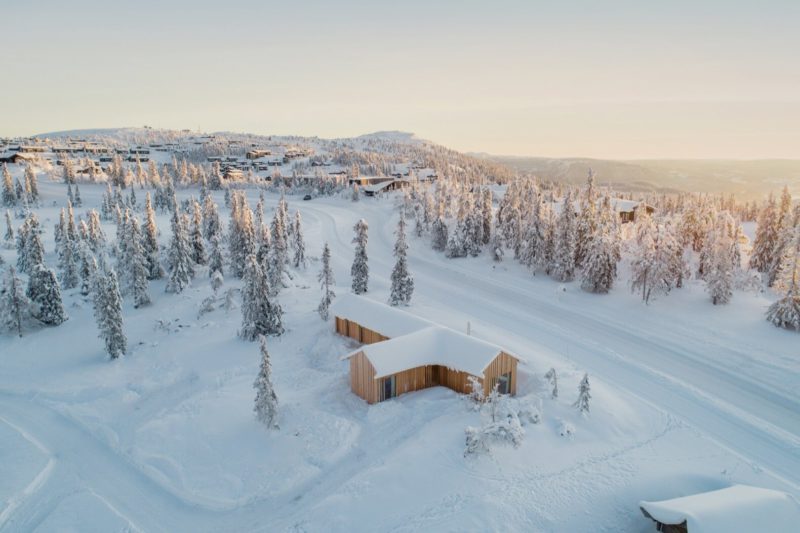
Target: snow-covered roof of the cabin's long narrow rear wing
x=388 y=321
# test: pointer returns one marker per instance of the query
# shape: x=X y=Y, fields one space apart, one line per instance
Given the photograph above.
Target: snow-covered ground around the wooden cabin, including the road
x=686 y=397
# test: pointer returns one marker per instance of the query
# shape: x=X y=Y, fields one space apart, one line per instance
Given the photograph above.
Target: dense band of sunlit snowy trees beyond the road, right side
x=576 y=234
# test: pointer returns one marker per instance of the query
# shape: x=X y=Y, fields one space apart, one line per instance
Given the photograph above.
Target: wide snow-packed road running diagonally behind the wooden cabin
x=682 y=371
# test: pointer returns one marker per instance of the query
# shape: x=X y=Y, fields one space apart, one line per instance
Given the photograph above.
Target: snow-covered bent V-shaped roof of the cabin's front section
x=435 y=345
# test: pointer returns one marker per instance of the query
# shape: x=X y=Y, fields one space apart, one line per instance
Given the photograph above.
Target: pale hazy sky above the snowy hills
x=592 y=78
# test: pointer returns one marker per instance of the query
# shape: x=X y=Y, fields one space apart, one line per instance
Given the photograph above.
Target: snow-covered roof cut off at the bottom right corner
x=736 y=508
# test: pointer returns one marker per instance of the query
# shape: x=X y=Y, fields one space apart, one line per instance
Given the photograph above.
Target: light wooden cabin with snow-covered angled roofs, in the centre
x=404 y=353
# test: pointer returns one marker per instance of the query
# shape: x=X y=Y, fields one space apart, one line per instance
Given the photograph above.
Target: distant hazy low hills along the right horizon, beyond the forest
x=746 y=178
